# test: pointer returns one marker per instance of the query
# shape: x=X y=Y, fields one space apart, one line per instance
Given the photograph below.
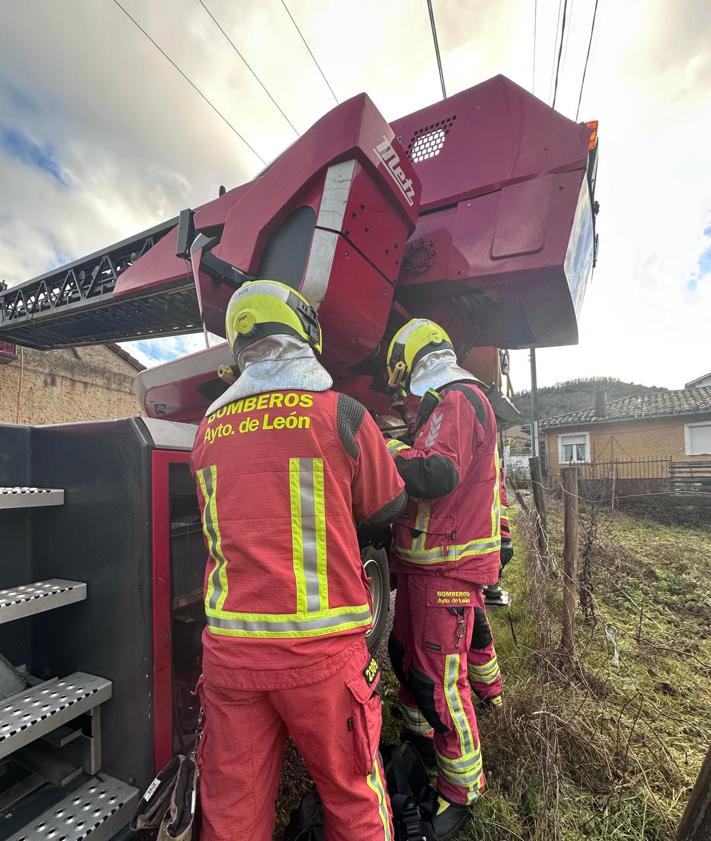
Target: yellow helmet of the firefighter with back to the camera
x=261 y=308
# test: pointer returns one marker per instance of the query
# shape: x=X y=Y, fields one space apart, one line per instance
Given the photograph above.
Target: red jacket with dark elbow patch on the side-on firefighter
x=451 y=525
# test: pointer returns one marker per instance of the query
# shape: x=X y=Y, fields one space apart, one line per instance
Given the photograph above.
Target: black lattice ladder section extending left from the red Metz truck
x=35 y=313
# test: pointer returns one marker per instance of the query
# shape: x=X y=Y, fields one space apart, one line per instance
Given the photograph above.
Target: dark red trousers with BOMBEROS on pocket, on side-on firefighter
x=432 y=635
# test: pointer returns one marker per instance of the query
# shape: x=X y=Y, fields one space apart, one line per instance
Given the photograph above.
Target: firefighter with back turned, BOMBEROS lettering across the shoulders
x=285 y=467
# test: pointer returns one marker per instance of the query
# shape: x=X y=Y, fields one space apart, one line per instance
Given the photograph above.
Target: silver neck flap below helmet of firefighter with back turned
x=275 y=363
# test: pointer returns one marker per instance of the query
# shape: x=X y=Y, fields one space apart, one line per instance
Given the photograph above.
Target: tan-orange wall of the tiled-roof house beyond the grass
x=660 y=438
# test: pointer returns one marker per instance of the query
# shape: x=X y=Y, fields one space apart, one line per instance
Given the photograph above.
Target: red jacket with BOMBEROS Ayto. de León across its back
x=282 y=477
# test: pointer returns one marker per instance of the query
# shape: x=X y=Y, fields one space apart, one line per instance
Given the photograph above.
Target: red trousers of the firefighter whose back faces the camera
x=335 y=724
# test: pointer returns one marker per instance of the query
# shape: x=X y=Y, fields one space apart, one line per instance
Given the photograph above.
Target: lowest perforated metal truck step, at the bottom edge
x=97 y=810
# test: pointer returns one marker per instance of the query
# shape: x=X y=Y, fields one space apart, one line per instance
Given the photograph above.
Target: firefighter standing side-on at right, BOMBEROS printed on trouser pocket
x=445 y=549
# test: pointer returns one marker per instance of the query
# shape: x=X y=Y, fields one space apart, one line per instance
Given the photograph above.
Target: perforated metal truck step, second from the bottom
x=33 y=713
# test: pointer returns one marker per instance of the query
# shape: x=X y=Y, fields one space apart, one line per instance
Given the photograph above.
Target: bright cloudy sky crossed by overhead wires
x=100 y=137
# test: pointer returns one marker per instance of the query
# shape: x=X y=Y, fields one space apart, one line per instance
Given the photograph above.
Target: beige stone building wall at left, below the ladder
x=68 y=385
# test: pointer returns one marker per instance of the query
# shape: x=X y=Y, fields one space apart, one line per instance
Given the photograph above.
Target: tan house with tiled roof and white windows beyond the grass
x=674 y=425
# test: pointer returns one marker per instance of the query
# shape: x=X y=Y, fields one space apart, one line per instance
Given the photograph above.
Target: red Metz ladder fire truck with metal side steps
x=477 y=211
